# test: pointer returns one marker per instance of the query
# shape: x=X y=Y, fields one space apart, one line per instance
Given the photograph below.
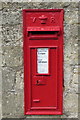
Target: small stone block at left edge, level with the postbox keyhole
x=8 y=75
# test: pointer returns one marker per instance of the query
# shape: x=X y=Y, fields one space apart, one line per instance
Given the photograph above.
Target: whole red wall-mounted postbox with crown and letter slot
x=43 y=61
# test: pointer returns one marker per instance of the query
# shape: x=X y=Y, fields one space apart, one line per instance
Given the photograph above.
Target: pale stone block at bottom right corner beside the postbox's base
x=71 y=105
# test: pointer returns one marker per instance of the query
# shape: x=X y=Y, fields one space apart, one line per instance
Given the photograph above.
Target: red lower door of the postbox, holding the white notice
x=44 y=78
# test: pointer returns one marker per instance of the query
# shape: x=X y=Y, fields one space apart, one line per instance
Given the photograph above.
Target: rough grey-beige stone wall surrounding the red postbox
x=12 y=58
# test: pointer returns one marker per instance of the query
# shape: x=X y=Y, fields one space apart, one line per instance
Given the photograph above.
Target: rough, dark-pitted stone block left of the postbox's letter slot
x=12 y=35
